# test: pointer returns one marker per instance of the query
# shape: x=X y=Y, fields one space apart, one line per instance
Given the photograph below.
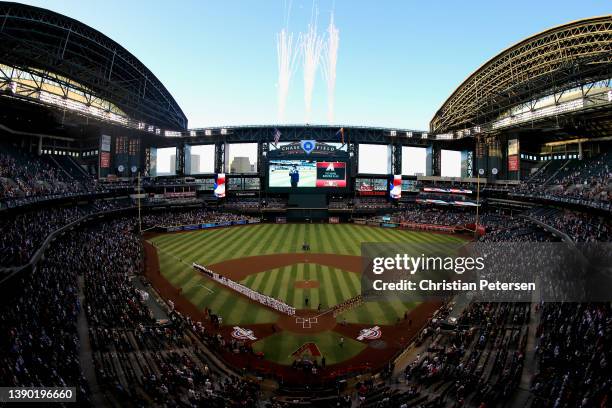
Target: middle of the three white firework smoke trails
x=312 y=47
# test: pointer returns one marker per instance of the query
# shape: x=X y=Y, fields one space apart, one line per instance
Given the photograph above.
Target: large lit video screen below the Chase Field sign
x=306 y=174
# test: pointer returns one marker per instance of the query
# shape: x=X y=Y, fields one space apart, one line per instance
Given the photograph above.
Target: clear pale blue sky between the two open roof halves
x=398 y=61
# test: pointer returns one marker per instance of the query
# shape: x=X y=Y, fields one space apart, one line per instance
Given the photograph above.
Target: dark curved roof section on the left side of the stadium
x=51 y=45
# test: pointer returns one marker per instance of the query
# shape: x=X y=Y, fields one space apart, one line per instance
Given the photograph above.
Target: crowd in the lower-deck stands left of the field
x=138 y=359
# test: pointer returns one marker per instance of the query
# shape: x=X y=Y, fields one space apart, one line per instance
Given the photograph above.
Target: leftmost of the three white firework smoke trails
x=287 y=57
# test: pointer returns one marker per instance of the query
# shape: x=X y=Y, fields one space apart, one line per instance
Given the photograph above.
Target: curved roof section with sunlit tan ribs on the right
x=561 y=58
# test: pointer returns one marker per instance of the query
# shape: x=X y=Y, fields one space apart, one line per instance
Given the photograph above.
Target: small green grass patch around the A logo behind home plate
x=279 y=347
